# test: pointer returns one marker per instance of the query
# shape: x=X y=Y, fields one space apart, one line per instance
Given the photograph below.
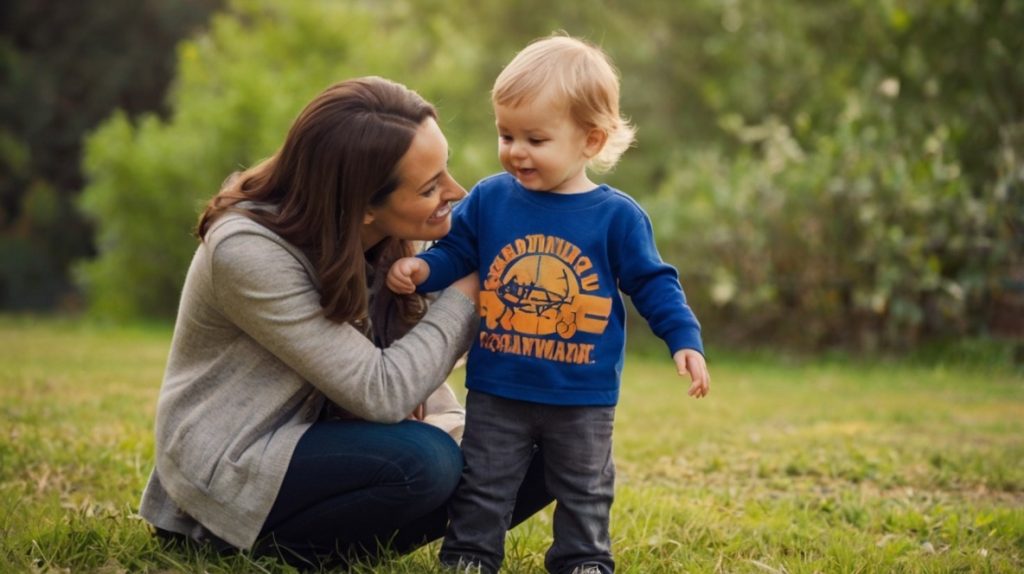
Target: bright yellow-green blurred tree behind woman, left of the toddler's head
x=238 y=90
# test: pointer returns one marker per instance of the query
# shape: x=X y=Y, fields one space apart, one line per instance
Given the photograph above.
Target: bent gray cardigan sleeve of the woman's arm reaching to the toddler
x=264 y=289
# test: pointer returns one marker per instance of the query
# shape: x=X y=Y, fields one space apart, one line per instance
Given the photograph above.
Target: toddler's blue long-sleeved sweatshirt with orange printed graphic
x=551 y=267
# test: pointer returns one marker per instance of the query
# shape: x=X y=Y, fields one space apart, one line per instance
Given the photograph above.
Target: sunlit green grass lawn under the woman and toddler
x=826 y=465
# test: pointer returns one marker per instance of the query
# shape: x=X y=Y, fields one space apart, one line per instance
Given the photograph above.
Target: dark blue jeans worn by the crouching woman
x=355 y=489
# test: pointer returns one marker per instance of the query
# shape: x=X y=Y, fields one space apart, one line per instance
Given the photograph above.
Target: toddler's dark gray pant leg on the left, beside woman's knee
x=498 y=448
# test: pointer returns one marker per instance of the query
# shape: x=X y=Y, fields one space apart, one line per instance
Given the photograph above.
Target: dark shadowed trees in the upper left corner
x=65 y=67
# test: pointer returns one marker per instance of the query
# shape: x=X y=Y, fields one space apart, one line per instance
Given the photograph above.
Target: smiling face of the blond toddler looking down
x=543 y=148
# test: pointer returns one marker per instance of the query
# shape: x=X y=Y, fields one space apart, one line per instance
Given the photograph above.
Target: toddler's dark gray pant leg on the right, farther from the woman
x=581 y=475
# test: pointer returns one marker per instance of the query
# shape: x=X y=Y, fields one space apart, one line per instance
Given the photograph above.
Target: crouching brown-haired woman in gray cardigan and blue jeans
x=304 y=408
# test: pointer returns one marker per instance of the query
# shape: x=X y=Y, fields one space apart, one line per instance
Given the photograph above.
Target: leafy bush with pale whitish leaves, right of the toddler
x=868 y=237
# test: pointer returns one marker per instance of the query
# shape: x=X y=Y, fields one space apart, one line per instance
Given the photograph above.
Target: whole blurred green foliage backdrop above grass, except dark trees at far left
x=823 y=173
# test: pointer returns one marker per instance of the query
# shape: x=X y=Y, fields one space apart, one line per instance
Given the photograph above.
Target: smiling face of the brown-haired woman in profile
x=420 y=209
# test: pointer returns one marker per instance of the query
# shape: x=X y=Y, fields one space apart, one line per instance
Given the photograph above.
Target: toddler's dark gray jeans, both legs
x=501 y=438
